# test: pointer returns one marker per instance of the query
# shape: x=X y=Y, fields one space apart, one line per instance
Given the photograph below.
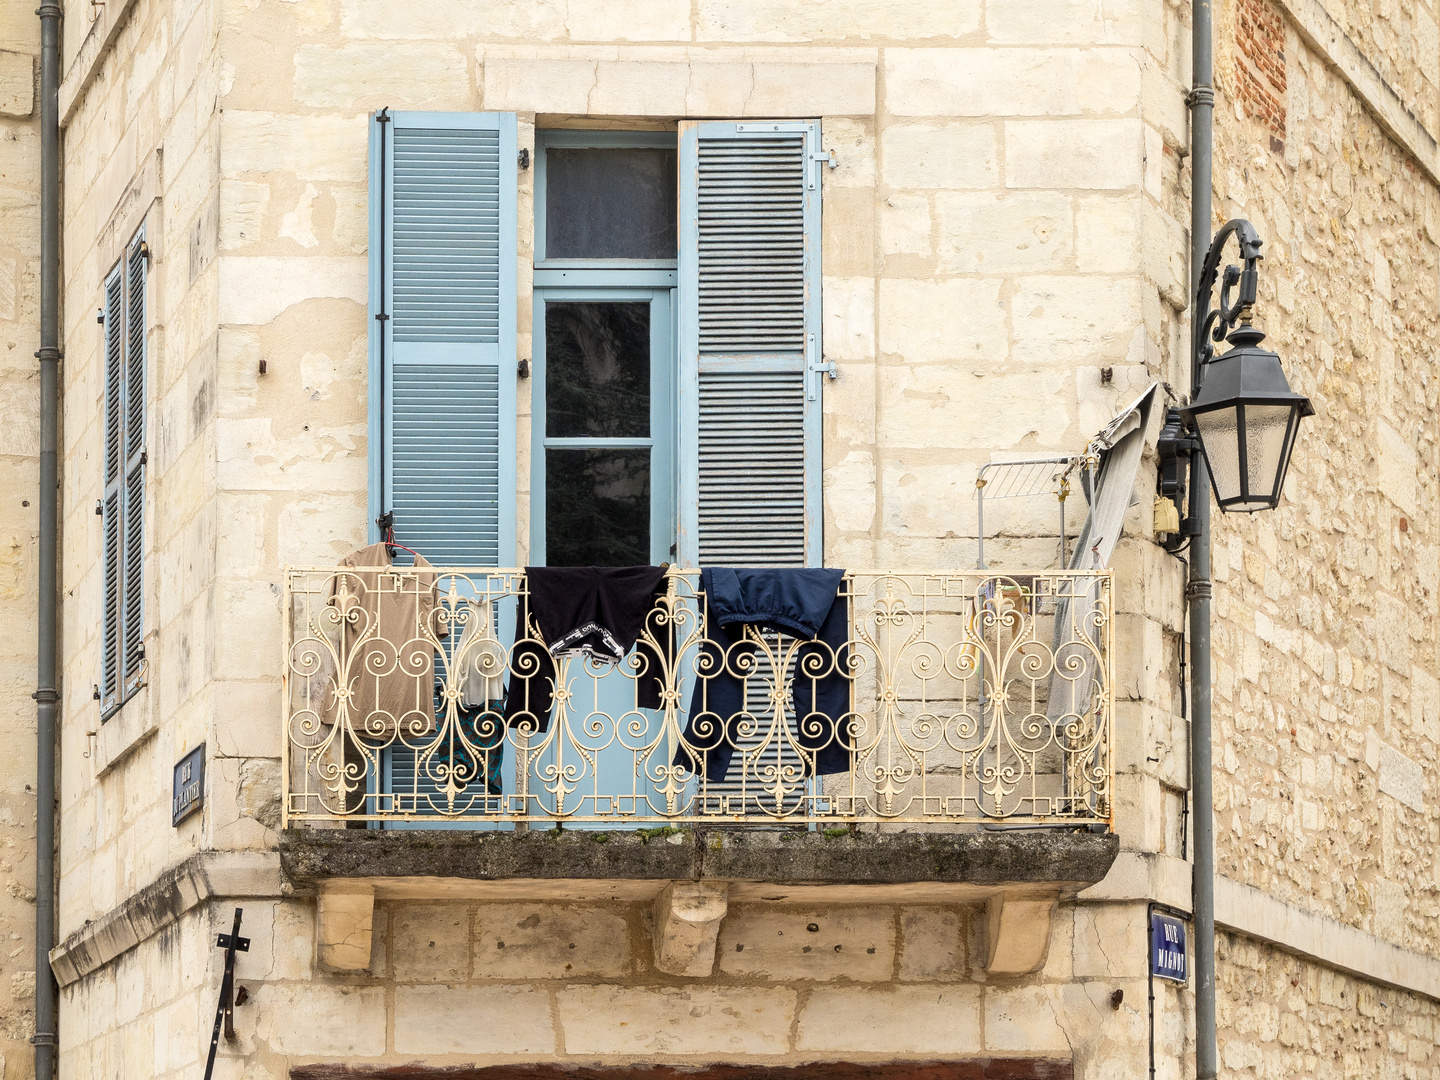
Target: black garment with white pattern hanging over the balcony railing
x=598 y=613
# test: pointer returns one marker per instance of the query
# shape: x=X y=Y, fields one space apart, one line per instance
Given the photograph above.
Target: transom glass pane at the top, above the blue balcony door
x=610 y=204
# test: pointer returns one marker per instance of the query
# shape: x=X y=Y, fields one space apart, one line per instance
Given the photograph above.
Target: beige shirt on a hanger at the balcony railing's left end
x=374 y=621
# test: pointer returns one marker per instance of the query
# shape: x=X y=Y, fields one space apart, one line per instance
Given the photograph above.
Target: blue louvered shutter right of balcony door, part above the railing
x=750 y=343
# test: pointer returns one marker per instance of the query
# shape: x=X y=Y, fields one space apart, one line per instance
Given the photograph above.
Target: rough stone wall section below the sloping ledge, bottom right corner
x=1282 y=1016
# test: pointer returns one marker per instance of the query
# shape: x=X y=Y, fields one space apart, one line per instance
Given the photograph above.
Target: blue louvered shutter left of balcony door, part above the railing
x=444 y=338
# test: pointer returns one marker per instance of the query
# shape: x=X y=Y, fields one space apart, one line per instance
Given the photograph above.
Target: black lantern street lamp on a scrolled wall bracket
x=1245 y=415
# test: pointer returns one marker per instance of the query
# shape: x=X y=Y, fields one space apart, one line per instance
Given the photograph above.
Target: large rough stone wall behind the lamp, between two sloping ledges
x=1328 y=706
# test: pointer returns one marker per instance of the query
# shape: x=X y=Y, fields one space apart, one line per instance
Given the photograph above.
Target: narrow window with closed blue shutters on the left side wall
x=125 y=473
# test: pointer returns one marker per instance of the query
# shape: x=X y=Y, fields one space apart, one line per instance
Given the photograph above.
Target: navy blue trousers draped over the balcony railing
x=804 y=604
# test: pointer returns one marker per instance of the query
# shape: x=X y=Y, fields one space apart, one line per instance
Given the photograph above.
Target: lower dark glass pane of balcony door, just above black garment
x=597 y=508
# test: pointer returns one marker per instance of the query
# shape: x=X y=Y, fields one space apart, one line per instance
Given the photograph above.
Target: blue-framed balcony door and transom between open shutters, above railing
x=603 y=479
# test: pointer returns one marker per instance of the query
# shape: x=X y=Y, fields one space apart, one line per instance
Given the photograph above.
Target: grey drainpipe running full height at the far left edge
x=47 y=695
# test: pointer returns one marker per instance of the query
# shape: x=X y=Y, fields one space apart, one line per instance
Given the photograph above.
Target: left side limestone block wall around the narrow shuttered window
x=140 y=149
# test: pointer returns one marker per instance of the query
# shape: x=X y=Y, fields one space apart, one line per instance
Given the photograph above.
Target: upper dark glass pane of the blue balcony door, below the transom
x=597 y=371
